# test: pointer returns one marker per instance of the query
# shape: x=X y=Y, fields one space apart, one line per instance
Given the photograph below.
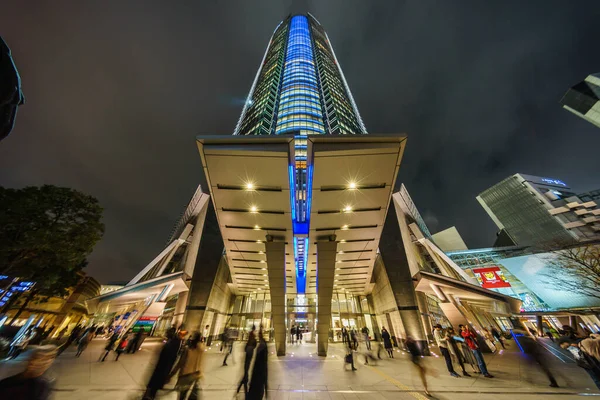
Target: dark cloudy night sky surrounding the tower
x=116 y=92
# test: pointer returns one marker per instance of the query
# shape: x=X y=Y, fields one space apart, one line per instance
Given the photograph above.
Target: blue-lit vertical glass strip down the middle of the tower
x=300 y=112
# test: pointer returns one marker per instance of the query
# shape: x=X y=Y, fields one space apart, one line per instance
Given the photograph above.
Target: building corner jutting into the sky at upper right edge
x=583 y=99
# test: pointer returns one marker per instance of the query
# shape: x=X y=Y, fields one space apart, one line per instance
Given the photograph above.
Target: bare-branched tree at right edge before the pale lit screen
x=575 y=268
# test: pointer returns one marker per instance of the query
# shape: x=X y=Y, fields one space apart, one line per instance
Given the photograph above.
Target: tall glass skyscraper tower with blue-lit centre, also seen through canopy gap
x=300 y=89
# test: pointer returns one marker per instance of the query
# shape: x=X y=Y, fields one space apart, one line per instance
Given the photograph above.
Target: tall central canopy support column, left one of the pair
x=275 y=252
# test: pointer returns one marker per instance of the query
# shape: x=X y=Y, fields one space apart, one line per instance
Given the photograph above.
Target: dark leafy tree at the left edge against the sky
x=46 y=233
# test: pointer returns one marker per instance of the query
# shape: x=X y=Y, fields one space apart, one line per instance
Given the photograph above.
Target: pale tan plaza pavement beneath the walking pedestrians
x=303 y=375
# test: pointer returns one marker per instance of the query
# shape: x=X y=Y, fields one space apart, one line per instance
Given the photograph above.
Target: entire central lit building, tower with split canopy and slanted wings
x=299 y=221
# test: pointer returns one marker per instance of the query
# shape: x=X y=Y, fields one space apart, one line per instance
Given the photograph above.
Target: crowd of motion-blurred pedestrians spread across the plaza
x=182 y=354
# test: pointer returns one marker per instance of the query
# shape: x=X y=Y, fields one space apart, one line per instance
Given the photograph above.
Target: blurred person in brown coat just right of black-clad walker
x=189 y=368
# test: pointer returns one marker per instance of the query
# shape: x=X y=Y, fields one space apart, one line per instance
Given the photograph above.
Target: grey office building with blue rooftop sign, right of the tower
x=538 y=211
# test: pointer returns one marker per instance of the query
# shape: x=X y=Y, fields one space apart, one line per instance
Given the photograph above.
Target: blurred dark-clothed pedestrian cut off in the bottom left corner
x=31 y=384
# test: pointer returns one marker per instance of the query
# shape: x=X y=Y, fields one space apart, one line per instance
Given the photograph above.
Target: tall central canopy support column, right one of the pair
x=326 y=254
